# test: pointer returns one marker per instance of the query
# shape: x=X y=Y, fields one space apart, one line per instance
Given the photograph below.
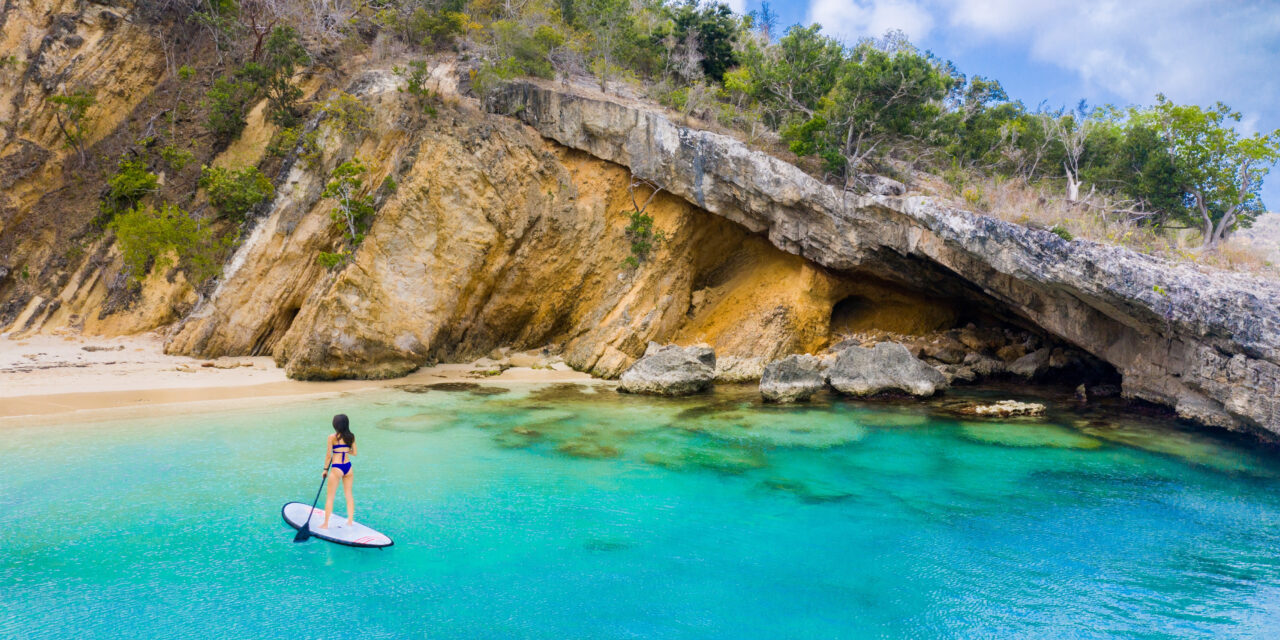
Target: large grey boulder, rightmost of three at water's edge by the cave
x=885 y=368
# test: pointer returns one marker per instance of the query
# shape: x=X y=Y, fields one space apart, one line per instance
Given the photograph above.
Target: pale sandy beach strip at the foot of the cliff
x=47 y=376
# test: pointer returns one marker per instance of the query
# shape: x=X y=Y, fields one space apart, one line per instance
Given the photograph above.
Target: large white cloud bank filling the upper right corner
x=1195 y=52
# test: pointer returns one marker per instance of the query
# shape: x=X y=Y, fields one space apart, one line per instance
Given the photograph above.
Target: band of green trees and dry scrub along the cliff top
x=1162 y=179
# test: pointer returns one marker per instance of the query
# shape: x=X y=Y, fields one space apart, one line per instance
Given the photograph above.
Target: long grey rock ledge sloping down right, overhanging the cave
x=1204 y=342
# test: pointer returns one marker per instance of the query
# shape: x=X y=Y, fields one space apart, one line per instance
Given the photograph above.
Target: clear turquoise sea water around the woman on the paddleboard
x=556 y=513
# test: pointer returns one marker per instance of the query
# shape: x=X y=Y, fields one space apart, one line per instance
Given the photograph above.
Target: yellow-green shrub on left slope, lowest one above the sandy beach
x=149 y=237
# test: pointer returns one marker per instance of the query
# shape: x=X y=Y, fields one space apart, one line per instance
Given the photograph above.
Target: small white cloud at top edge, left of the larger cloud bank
x=853 y=20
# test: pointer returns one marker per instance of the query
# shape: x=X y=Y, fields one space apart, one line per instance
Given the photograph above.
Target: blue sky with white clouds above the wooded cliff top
x=1118 y=52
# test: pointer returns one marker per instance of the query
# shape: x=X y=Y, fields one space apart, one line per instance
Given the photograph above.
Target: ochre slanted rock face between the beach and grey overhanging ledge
x=496 y=239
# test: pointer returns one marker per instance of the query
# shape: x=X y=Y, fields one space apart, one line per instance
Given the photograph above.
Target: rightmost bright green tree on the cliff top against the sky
x=1220 y=168
